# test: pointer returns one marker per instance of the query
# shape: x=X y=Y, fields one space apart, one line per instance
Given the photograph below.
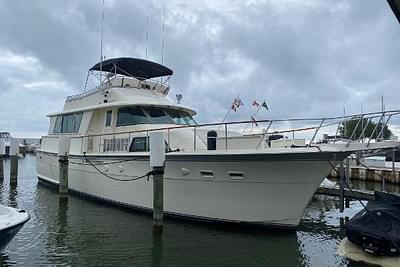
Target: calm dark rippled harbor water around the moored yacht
x=83 y=233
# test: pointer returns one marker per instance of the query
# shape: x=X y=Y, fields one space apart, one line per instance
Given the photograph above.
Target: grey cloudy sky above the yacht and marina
x=305 y=58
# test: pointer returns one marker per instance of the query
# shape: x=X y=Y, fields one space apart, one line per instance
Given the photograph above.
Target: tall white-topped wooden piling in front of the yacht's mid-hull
x=157 y=161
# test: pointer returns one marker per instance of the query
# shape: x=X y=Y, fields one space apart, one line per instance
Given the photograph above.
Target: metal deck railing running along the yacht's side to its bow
x=233 y=135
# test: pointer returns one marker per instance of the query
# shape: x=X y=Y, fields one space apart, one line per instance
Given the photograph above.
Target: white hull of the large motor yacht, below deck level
x=273 y=191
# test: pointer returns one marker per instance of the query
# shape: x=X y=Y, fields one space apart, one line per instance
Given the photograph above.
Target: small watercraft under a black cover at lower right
x=377 y=228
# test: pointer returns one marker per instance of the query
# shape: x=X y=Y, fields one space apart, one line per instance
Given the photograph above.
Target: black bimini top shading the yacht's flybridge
x=133 y=67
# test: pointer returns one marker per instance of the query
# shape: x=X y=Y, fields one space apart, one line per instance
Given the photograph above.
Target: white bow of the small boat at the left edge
x=11 y=221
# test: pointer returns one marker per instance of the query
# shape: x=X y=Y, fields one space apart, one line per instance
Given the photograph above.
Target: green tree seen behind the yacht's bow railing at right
x=347 y=128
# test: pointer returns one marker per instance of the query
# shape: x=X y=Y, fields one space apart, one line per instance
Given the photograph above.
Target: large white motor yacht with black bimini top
x=212 y=172
